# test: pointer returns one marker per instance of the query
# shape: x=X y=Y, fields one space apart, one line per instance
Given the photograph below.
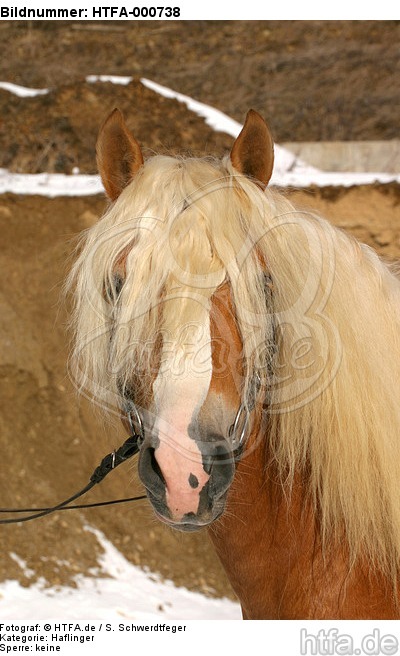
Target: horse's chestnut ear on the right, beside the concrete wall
x=253 y=151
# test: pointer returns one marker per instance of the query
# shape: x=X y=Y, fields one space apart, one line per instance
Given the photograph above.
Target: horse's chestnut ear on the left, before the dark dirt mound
x=118 y=154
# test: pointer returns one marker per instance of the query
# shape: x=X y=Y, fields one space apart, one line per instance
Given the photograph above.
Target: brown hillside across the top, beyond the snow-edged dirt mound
x=313 y=80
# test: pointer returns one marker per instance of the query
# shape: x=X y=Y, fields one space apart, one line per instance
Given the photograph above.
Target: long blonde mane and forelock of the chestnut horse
x=319 y=316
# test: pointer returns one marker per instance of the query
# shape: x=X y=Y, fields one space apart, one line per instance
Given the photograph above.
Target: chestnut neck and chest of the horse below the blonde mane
x=269 y=545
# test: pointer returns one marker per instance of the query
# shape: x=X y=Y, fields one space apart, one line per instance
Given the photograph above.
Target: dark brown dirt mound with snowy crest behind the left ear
x=57 y=132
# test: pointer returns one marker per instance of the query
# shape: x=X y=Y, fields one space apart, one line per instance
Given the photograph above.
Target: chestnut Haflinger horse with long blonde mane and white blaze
x=258 y=347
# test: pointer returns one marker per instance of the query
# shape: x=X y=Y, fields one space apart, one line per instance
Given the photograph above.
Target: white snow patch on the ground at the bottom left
x=119 y=590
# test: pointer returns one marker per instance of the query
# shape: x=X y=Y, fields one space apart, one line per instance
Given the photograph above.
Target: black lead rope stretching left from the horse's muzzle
x=129 y=448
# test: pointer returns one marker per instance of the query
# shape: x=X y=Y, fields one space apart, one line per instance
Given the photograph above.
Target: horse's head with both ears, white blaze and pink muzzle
x=189 y=397
